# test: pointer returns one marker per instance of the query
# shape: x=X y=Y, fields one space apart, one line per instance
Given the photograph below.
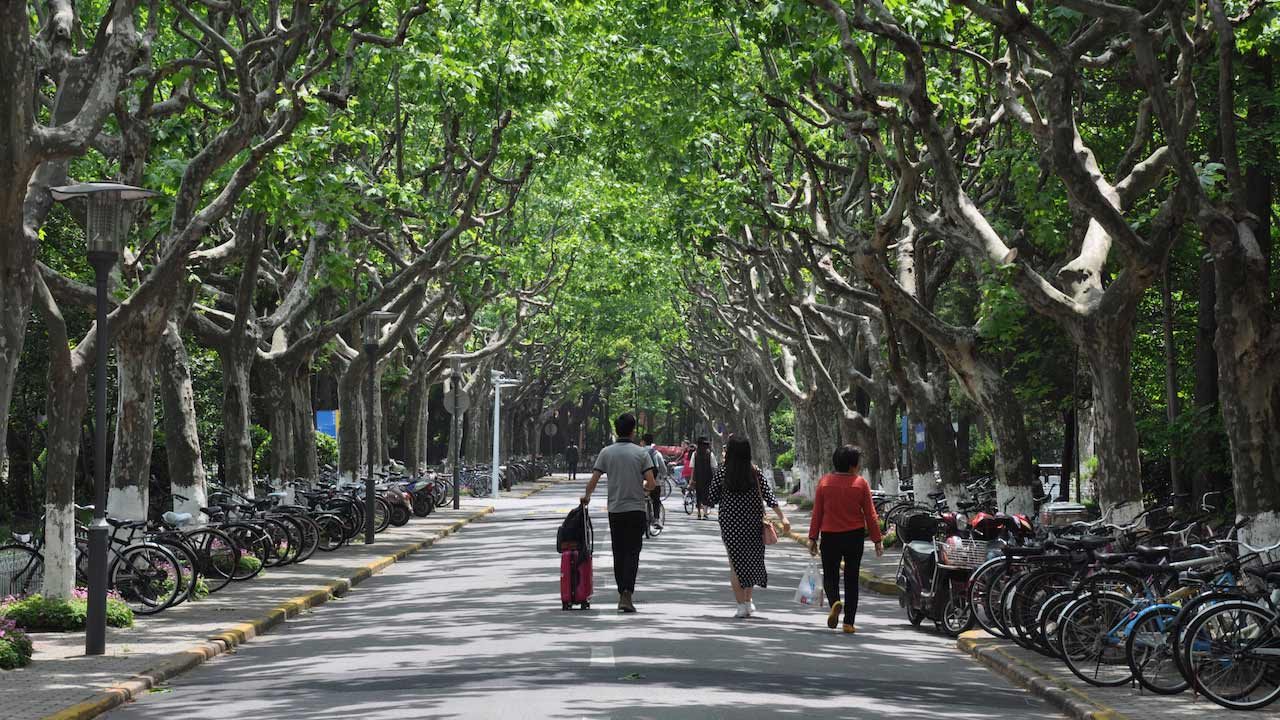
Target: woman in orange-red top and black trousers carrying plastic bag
x=844 y=516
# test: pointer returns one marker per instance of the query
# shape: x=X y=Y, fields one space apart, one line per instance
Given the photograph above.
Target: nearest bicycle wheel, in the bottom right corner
x=1223 y=655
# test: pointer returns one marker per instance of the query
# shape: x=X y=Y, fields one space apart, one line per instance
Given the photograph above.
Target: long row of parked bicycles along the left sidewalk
x=162 y=563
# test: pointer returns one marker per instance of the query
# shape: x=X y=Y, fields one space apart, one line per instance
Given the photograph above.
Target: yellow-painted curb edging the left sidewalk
x=230 y=639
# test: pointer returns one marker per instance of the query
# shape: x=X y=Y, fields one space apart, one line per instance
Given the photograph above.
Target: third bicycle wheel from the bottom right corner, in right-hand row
x=1092 y=634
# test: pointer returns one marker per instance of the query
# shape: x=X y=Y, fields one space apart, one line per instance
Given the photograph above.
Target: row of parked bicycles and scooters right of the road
x=1164 y=605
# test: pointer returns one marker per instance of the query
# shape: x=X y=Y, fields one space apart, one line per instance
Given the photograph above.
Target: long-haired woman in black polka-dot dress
x=742 y=494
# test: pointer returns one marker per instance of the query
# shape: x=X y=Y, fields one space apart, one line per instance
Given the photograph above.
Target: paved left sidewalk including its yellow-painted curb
x=63 y=683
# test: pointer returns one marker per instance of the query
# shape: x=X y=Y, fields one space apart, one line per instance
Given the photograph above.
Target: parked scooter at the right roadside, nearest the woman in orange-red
x=934 y=576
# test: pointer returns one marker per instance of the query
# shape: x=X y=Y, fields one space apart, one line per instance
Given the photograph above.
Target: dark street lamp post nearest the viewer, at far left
x=107 y=225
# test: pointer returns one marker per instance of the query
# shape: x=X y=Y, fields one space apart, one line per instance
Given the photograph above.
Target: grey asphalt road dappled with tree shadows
x=474 y=628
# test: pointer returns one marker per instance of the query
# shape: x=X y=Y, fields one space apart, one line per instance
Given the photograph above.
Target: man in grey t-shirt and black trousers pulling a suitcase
x=632 y=476
